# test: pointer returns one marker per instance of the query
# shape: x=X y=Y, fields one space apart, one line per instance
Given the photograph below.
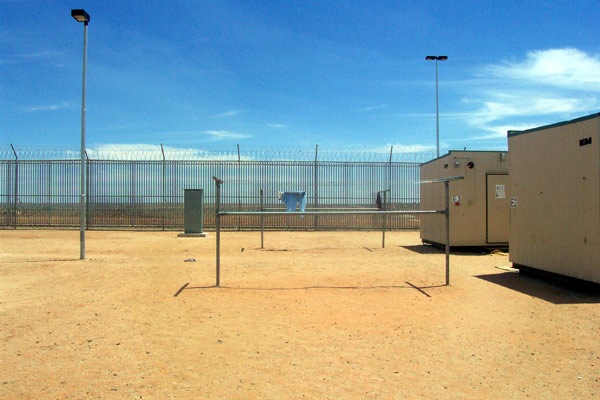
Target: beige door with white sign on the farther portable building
x=498 y=209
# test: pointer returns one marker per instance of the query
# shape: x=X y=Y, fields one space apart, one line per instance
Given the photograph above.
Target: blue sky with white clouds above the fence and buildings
x=286 y=74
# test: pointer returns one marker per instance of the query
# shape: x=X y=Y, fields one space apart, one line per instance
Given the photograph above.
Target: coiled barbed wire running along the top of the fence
x=147 y=152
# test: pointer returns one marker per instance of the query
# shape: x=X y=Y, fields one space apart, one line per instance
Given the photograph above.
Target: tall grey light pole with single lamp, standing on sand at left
x=82 y=16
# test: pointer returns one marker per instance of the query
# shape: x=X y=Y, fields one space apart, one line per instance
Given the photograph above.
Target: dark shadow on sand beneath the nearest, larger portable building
x=556 y=292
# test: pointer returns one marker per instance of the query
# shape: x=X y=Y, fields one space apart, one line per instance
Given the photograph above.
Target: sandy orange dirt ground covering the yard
x=313 y=315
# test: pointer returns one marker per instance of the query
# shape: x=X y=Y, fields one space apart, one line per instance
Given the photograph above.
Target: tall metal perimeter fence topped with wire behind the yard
x=144 y=189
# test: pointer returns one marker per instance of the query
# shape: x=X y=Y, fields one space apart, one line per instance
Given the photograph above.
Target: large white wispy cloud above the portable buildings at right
x=549 y=85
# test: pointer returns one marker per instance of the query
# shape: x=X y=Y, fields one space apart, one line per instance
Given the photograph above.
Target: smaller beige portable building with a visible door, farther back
x=479 y=204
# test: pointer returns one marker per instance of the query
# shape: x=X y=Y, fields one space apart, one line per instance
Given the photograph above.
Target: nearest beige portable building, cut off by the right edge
x=555 y=204
